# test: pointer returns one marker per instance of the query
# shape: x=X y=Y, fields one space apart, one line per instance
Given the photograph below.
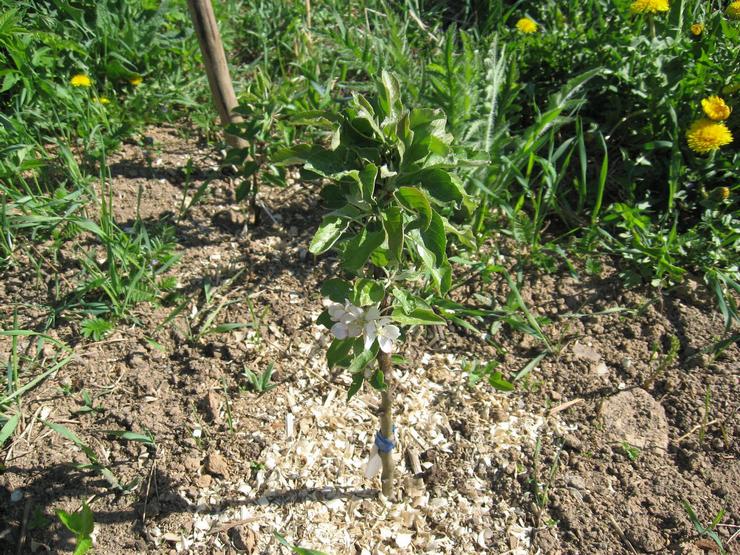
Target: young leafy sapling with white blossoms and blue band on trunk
x=391 y=195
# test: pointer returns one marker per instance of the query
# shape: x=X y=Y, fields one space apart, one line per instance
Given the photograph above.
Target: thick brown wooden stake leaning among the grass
x=222 y=90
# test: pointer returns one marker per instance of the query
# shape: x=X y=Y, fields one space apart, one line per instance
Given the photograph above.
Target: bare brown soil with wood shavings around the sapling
x=594 y=452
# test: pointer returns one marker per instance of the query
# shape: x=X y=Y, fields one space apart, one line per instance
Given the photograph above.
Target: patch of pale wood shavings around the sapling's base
x=313 y=491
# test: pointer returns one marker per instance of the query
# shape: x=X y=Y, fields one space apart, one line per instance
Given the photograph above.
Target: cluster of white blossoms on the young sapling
x=354 y=321
